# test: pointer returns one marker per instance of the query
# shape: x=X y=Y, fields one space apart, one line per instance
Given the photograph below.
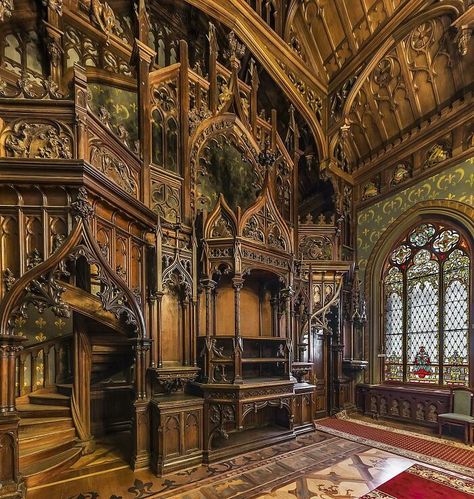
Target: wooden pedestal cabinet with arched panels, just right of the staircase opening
x=177 y=439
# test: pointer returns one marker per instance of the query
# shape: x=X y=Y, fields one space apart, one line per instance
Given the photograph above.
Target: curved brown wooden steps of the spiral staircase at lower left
x=47 y=437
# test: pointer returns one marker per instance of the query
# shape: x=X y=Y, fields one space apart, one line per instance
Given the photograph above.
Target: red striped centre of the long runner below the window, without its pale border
x=446 y=452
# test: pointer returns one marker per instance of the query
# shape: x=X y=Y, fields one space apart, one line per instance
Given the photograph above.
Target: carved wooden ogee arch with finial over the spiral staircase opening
x=42 y=285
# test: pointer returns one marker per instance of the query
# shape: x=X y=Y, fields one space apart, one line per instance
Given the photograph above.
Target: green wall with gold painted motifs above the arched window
x=455 y=183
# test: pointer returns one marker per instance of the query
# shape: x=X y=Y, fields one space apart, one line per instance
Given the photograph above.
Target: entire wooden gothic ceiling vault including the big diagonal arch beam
x=369 y=71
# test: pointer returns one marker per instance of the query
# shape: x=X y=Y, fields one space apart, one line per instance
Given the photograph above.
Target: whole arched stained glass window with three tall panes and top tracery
x=426 y=293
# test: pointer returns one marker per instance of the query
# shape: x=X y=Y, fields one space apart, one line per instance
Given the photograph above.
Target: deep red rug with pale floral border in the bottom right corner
x=419 y=482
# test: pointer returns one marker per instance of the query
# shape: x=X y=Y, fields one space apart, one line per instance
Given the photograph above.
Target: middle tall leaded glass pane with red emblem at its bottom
x=423 y=320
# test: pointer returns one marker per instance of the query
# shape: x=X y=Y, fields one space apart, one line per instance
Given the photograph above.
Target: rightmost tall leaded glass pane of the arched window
x=456 y=319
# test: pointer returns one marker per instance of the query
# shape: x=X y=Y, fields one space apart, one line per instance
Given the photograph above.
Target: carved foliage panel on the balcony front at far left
x=37 y=140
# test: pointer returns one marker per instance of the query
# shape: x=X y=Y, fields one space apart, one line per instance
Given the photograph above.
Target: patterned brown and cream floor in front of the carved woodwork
x=316 y=465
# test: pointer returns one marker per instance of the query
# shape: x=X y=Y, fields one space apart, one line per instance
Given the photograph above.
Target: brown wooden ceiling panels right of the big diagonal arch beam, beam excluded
x=388 y=64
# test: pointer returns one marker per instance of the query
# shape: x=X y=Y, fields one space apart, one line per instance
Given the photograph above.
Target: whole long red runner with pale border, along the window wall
x=461 y=458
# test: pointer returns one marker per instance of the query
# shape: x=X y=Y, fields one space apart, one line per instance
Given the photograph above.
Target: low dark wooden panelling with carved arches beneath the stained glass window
x=419 y=405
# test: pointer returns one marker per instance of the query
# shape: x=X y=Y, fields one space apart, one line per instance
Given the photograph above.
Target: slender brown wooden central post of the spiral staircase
x=81 y=389
